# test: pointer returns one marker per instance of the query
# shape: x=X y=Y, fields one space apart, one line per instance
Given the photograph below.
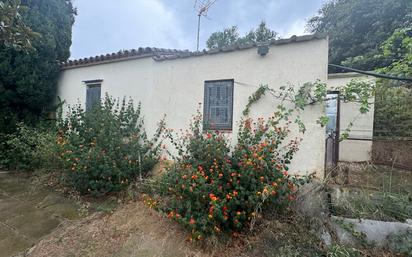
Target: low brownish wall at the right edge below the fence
x=396 y=152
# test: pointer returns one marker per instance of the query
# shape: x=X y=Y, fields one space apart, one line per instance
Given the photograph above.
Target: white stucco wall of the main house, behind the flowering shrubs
x=176 y=87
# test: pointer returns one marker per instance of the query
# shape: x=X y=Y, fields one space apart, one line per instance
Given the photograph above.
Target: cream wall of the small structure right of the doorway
x=358 y=147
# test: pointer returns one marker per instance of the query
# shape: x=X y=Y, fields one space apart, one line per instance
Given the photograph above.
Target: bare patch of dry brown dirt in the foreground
x=132 y=230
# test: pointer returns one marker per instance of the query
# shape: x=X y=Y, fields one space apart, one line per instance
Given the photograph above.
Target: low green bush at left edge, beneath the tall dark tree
x=29 y=148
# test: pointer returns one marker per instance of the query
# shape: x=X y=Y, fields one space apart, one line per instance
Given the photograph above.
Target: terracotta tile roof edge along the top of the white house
x=161 y=54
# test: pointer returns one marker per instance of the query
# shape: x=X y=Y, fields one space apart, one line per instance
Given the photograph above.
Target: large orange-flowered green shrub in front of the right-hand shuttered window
x=212 y=190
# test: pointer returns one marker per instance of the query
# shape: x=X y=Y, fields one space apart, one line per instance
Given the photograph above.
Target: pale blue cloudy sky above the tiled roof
x=106 y=26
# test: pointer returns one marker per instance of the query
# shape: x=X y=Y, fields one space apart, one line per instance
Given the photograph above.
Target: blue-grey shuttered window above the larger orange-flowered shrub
x=218 y=105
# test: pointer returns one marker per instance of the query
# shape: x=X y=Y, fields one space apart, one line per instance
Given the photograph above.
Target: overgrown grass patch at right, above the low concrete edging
x=374 y=192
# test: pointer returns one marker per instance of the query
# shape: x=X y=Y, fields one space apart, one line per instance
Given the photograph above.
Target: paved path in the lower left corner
x=28 y=213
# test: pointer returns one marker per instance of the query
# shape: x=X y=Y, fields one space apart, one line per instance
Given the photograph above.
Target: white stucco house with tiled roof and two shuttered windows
x=174 y=82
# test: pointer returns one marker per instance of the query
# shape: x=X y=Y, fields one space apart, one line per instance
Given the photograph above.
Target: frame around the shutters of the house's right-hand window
x=206 y=106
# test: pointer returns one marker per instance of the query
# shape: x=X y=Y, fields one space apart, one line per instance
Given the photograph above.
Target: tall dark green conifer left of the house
x=28 y=79
